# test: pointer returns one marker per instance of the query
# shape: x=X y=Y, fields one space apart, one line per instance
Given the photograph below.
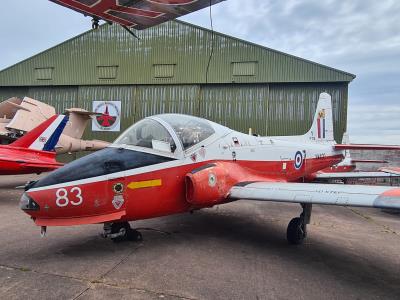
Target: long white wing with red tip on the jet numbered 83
x=314 y=193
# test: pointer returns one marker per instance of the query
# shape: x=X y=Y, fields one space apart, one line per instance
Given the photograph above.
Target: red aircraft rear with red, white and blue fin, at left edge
x=34 y=152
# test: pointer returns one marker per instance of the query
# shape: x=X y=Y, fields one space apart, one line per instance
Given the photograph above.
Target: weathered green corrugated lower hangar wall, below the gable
x=275 y=109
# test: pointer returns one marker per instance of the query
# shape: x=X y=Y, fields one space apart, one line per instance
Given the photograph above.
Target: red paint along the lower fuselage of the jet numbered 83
x=168 y=198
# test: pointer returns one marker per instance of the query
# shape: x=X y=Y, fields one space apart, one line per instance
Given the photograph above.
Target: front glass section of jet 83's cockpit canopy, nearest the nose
x=149 y=134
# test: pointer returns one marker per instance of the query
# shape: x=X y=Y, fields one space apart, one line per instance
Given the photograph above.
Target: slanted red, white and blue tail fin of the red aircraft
x=45 y=136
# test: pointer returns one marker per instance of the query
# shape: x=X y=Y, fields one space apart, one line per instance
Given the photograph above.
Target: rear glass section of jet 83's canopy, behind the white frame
x=190 y=130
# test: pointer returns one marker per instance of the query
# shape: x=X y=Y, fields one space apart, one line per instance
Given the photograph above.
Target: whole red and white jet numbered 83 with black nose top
x=170 y=163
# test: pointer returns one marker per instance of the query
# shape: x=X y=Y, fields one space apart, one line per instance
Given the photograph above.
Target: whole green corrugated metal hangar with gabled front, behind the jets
x=179 y=67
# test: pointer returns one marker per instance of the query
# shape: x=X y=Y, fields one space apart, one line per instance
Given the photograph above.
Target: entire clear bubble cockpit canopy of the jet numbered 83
x=155 y=132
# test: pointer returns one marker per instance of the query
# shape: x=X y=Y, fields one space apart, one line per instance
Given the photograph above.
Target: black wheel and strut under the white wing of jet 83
x=297 y=228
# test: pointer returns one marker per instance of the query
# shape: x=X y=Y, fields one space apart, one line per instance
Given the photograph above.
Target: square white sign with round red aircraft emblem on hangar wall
x=110 y=118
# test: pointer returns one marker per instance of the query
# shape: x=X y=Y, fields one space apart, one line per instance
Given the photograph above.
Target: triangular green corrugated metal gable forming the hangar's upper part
x=186 y=46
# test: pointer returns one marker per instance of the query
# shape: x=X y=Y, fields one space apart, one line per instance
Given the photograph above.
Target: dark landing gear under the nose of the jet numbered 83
x=121 y=231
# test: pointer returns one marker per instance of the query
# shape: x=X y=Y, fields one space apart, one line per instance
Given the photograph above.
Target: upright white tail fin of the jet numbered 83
x=322 y=126
